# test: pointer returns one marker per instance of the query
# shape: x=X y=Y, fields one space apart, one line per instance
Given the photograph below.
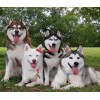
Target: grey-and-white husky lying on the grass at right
x=72 y=70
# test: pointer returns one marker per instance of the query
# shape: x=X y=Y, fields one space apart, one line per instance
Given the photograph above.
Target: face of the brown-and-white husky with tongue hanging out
x=16 y=32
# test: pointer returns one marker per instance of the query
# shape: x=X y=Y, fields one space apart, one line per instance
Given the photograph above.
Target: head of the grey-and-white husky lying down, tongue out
x=73 y=61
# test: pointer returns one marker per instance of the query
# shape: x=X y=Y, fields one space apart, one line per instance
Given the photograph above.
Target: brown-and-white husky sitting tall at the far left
x=17 y=37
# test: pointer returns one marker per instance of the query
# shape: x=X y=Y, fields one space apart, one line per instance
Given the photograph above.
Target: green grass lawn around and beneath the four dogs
x=92 y=58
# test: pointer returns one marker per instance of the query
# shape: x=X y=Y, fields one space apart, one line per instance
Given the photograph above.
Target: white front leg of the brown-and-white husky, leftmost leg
x=8 y=71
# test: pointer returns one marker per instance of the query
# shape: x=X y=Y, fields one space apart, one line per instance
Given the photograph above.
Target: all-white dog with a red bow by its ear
x=32 y=66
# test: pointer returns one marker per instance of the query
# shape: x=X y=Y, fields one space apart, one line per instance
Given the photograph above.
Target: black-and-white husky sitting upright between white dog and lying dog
x=52 y=55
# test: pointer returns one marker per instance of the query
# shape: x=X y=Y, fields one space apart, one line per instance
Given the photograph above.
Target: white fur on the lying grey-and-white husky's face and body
x=74 y=80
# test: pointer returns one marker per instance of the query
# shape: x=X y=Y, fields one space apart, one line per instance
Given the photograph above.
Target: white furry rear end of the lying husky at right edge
x=95 y=76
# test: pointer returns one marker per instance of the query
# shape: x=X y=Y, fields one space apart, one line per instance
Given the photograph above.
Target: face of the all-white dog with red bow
x=33 y=56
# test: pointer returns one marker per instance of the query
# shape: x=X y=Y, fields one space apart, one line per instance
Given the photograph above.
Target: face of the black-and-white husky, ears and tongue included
x=52 y=42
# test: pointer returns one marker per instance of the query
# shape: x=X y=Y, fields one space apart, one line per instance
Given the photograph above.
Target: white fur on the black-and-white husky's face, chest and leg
x=54 y=60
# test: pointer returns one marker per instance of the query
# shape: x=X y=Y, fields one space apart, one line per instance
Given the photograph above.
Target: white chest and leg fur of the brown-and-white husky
x=12 y=68
